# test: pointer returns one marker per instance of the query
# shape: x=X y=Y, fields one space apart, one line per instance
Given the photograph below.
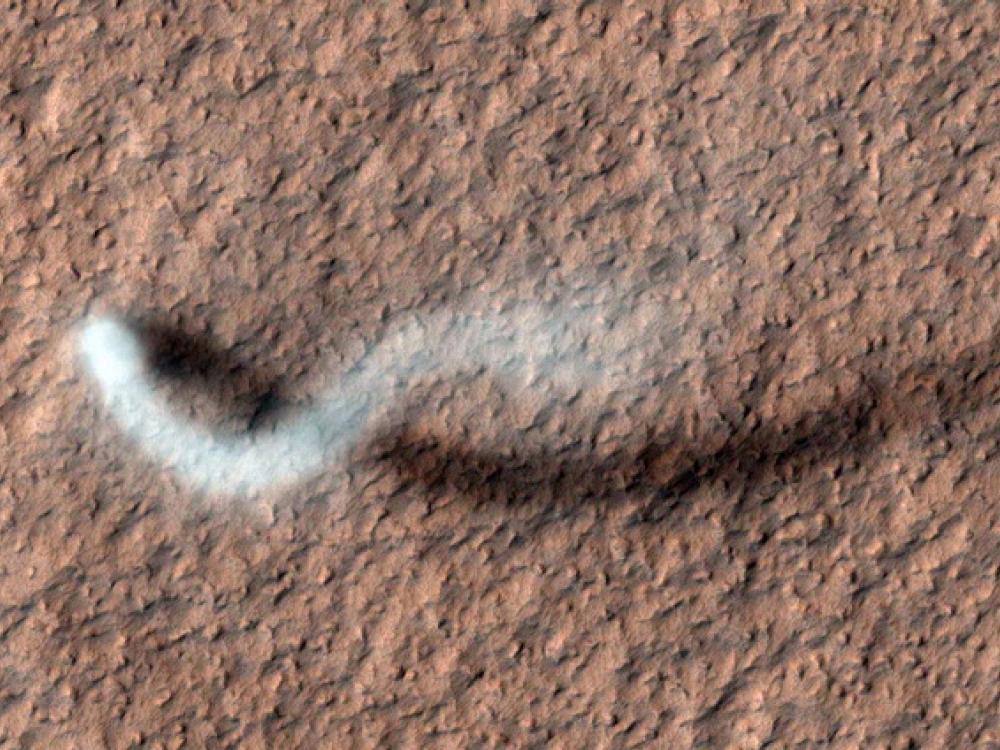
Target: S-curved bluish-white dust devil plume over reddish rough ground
x=527 y=346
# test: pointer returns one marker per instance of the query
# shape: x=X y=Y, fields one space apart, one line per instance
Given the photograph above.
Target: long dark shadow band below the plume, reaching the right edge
x=759 y=456
